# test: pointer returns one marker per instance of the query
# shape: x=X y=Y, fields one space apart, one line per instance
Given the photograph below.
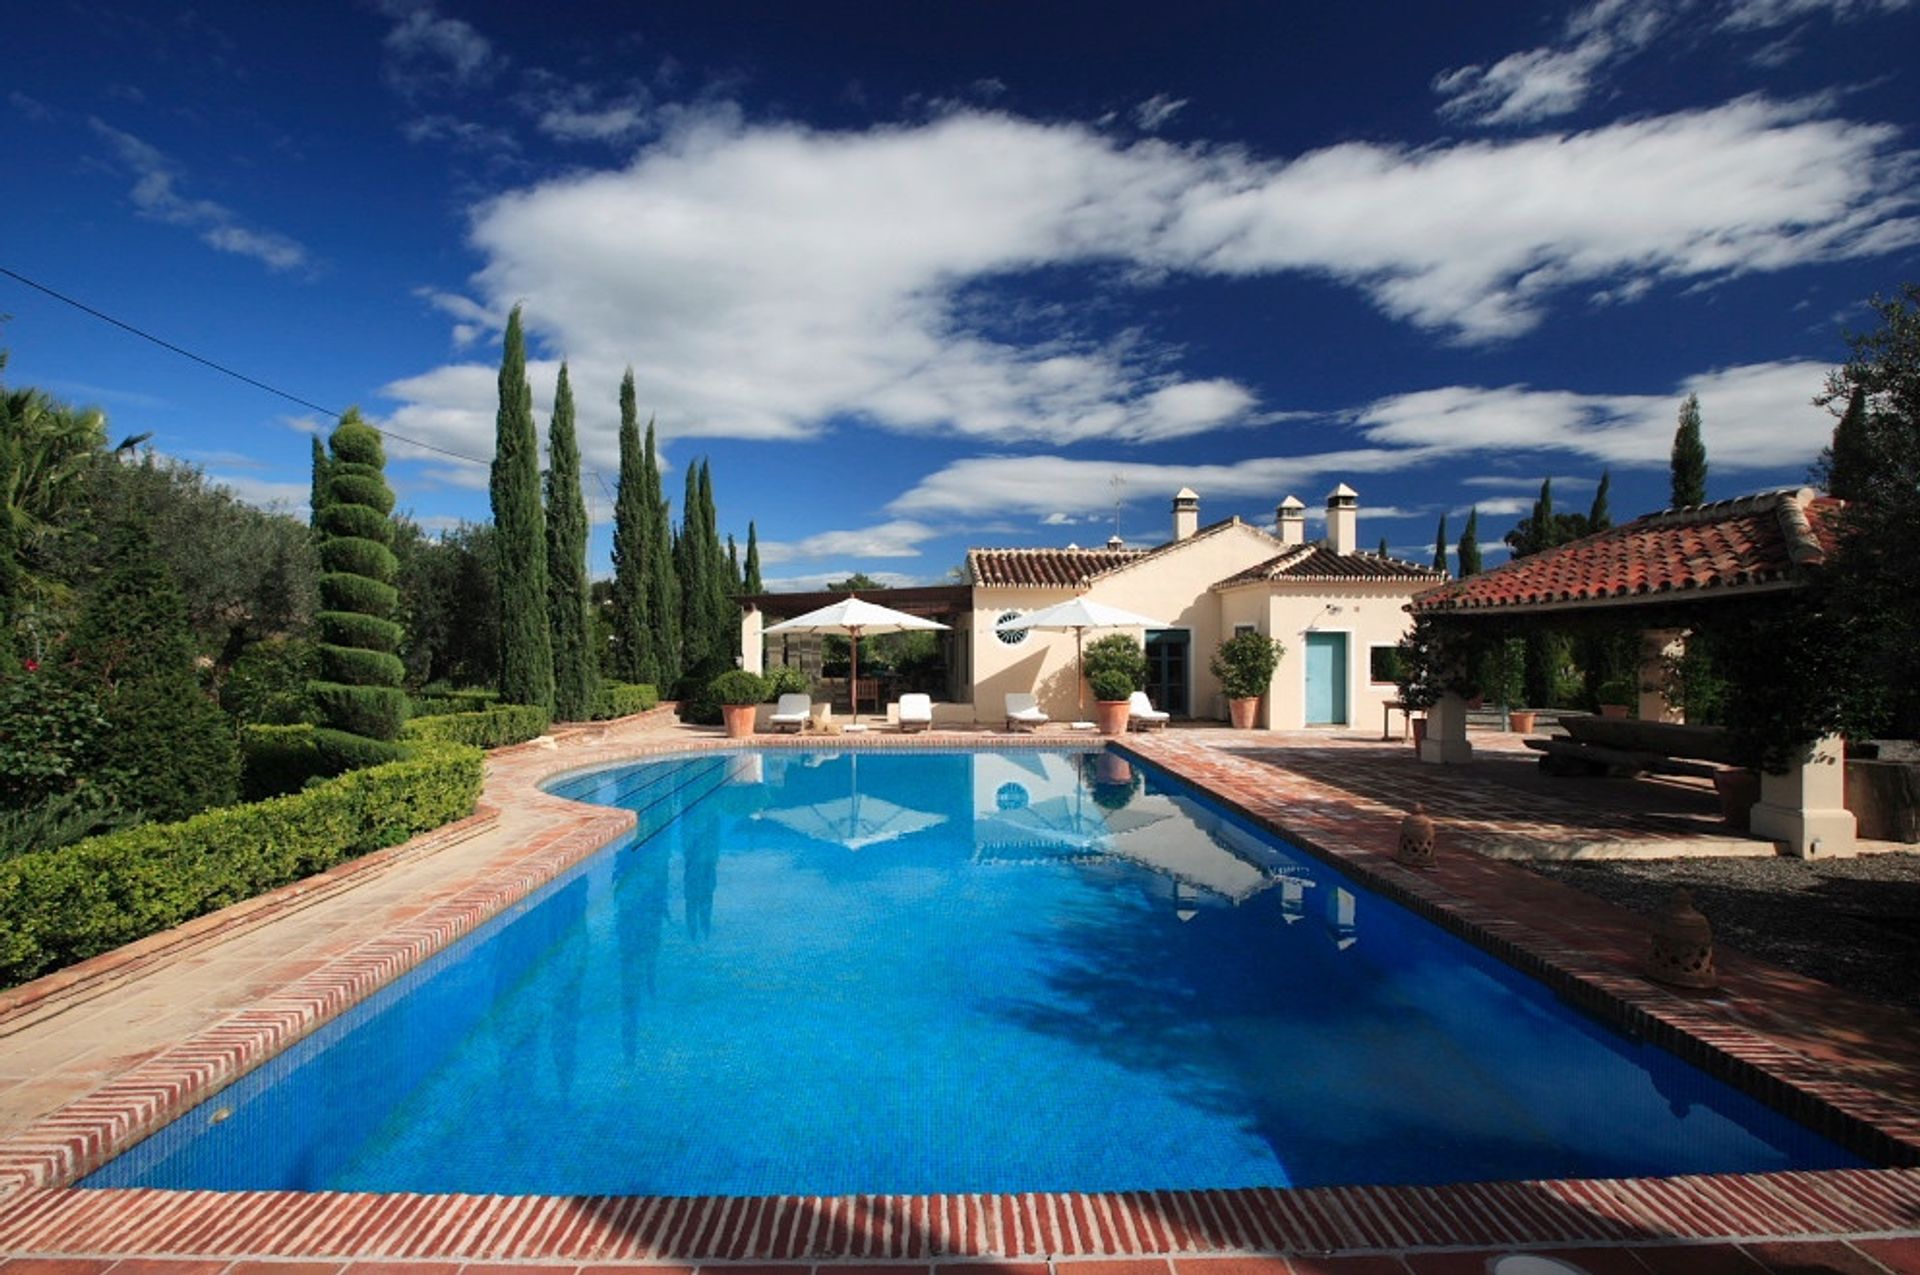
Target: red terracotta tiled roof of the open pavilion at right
x=1702 y=552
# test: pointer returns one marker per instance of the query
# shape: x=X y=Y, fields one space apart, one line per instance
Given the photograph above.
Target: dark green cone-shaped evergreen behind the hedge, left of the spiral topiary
x=168 y=750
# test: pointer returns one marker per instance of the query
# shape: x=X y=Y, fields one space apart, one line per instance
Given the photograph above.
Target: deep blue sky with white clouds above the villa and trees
x=938 y=276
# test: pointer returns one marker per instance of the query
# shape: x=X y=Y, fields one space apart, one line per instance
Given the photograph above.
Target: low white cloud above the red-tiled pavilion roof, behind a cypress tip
x=1760 y=416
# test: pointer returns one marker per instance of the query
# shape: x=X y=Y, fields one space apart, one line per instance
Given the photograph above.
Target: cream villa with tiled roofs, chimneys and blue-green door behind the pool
x=1335 y=608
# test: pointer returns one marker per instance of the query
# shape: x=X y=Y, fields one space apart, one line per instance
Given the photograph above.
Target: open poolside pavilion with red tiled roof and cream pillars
x=1668 y=573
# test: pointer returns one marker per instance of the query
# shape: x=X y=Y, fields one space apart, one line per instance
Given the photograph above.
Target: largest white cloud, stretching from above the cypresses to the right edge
x=767 y=281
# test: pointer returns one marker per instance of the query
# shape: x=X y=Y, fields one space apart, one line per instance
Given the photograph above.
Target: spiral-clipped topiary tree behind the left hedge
x=358 y=690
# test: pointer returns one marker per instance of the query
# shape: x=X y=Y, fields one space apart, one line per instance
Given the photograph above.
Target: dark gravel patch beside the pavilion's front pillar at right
x=1852 y=923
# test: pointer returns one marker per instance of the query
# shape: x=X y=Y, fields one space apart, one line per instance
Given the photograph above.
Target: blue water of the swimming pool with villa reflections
x=915 y=973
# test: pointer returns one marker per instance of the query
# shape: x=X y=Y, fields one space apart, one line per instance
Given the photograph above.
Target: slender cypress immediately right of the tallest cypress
x=575 y=662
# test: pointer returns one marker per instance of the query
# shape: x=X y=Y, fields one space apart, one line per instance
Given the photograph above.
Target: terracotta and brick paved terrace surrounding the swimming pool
x=95 y=1057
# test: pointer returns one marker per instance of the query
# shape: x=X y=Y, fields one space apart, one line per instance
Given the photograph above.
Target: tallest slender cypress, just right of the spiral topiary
x=519 y=535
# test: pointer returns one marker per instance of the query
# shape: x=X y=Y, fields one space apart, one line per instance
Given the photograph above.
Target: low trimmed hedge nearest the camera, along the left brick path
x=89 y=898
